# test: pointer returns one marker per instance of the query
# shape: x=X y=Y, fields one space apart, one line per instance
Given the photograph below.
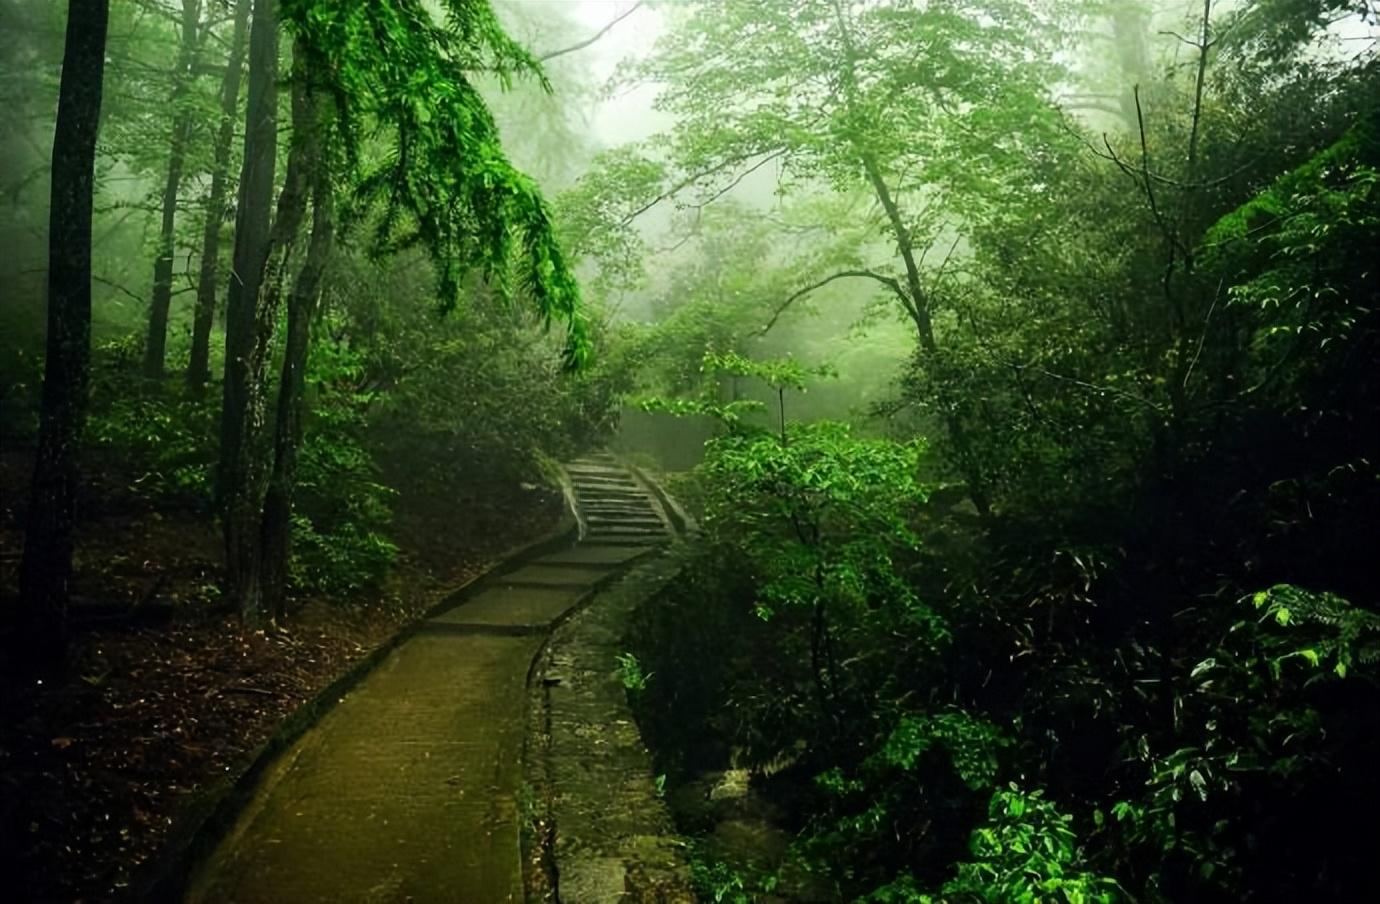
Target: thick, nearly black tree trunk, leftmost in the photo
x=48 y=547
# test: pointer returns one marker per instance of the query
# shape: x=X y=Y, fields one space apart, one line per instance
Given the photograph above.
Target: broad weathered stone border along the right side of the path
x=566 y=859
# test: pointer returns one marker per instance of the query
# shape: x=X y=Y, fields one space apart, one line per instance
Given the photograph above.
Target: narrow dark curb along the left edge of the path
x=205 y=819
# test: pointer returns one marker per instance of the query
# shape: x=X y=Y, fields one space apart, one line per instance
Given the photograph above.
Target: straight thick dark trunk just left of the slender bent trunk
x=246 y=339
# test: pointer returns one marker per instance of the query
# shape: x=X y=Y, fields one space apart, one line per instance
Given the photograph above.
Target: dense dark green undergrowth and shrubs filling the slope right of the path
x=1145 y=667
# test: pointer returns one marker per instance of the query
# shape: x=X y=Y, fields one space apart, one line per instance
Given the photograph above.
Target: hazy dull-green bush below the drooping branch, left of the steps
x=459 y=401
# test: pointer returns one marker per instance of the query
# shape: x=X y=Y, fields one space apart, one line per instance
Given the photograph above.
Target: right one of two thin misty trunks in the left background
x=199 y=365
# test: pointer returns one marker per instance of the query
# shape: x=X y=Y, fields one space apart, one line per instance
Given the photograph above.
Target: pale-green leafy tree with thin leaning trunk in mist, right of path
x=899 y=101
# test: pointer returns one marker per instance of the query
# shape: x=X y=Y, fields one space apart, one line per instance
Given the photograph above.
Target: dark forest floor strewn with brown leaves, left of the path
x=166 y=694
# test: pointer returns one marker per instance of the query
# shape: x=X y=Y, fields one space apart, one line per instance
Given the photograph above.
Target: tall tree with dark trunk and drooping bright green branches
x=444 y=183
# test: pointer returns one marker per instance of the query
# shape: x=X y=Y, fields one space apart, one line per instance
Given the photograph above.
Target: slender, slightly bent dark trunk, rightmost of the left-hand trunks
x=302 y=311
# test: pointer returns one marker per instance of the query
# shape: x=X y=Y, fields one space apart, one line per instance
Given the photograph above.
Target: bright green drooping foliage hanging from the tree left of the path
x=444 y=183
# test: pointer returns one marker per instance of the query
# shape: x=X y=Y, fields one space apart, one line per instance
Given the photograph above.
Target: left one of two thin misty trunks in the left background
x=155 y=351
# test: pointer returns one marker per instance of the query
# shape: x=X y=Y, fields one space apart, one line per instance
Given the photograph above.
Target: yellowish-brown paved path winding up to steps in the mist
x=408 y=790
